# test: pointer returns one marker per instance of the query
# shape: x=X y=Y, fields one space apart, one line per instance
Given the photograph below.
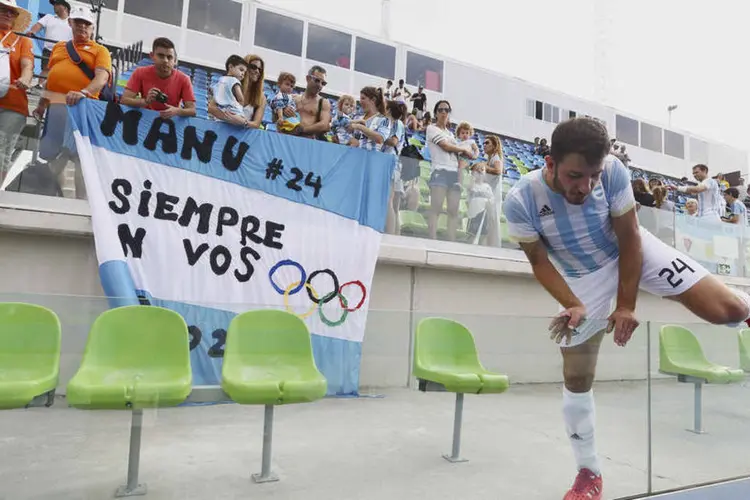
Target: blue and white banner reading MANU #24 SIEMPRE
x=210 y=221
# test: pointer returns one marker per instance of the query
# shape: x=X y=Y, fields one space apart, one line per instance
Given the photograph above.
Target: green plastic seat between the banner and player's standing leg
x=444 y=353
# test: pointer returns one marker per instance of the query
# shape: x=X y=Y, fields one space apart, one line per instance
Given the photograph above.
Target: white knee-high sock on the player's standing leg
x=580 y=419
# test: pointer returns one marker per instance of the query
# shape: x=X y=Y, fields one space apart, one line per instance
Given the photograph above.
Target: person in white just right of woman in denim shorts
x=482 y=208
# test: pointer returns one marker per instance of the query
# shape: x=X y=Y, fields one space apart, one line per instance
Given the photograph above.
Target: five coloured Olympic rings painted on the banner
x=305 y=282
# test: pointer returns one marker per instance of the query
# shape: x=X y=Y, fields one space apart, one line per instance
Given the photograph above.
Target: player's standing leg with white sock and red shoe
x=579 y=413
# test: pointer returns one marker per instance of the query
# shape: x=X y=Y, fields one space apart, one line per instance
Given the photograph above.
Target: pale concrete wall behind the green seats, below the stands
x=508 y=313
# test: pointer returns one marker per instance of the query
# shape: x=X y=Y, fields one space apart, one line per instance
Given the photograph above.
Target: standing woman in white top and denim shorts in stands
x=444 y=183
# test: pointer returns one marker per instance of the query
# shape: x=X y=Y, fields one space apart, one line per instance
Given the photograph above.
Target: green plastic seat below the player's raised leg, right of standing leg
x=680 y=353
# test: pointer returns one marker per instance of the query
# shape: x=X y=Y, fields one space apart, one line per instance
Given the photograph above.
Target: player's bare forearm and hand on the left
x=549 y=277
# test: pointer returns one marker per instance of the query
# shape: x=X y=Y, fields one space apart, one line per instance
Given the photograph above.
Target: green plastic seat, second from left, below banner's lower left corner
x=135 y=357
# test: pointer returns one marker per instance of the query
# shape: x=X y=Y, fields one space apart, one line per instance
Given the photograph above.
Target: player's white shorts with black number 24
x=665 y=272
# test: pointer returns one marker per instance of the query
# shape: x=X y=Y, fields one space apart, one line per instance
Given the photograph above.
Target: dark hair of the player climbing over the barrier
x=583 y=136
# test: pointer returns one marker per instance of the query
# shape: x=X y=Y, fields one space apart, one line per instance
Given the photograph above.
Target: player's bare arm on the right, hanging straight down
x=623 y=320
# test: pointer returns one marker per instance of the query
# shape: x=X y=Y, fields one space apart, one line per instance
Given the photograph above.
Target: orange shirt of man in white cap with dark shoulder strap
x=65 y=76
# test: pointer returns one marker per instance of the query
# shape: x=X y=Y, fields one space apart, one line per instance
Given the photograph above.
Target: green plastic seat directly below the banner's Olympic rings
x=268 y=360
